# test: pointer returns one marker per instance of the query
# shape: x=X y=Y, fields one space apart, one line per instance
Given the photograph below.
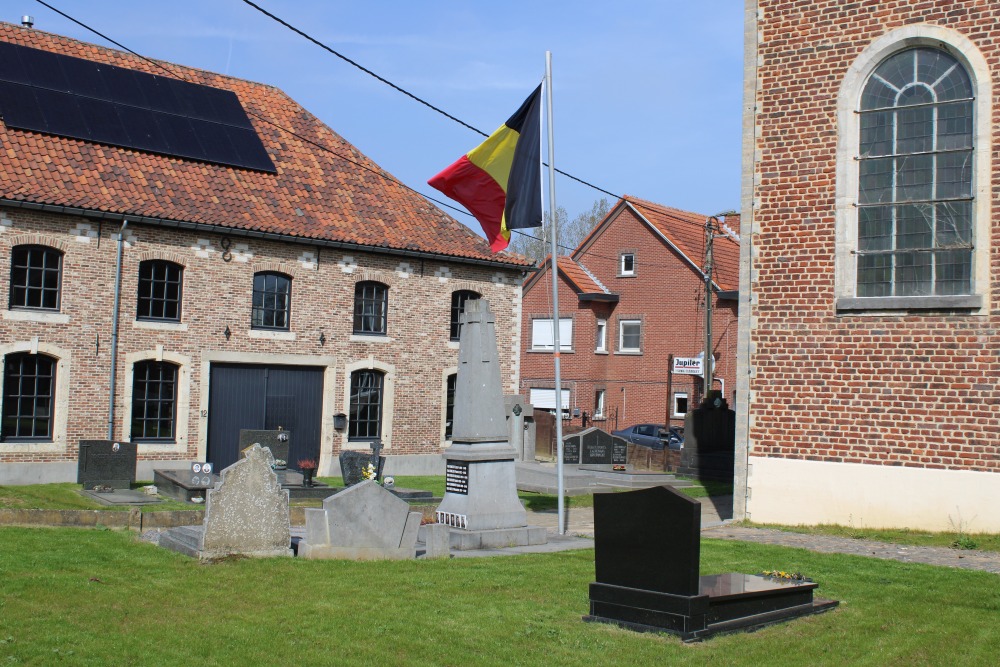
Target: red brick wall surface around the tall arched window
x=904 y=389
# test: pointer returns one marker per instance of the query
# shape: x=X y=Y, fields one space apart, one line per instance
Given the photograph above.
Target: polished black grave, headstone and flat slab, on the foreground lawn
x=646 y=555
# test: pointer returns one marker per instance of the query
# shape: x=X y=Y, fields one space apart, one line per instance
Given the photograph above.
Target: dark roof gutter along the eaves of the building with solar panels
x=249 y=233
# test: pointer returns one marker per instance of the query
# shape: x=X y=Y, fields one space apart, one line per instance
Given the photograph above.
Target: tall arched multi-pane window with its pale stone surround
x=913 y=212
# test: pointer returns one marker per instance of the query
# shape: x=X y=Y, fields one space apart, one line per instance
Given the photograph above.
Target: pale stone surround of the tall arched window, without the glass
x=966 y=52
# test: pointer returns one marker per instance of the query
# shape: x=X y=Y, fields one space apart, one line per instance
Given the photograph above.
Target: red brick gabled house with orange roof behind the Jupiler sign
x=630 y=296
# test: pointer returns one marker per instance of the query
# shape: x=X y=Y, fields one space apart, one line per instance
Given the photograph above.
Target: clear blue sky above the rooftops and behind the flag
x=647 y=94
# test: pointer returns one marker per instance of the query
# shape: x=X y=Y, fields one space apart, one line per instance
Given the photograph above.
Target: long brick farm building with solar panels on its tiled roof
x=270 y=276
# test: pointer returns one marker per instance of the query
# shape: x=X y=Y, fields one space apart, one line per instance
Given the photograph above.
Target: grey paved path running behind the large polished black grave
x=716 y=510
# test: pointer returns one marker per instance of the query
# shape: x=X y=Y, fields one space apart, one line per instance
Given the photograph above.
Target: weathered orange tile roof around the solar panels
x=339 y=196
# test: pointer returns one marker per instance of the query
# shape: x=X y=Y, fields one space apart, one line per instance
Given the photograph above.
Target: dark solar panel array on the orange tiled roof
x=72 y=97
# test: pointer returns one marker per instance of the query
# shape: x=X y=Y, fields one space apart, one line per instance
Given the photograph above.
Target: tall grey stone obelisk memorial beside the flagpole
x=480 y=503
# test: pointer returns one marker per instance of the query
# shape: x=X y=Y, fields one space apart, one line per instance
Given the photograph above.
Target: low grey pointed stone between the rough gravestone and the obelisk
x=363 y=522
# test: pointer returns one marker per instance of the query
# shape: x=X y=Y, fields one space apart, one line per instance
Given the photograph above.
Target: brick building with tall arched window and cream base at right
x=870 y=354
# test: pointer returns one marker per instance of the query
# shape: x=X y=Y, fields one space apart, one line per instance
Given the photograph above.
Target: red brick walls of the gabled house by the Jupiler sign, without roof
x=666 y=294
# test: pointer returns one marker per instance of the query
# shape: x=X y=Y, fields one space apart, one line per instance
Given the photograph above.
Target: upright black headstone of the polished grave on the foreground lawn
x=662 y=557
